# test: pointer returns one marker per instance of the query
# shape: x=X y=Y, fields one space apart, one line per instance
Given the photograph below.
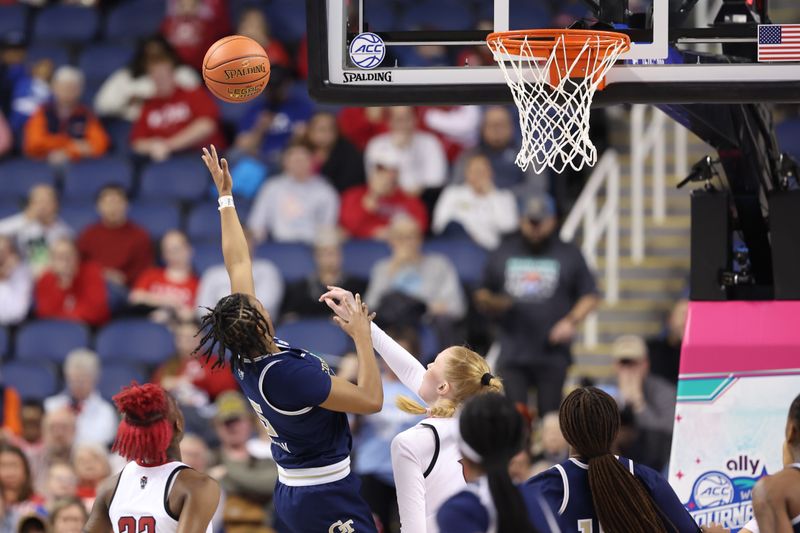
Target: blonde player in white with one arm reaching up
x=426 y=458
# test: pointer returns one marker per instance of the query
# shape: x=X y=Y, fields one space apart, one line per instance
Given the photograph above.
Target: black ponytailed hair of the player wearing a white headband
x=493 y=428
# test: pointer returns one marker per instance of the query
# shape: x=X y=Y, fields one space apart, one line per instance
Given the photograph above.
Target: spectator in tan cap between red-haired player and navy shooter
x=248 y=482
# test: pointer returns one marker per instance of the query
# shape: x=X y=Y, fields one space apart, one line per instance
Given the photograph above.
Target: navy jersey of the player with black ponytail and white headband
x=472 y=511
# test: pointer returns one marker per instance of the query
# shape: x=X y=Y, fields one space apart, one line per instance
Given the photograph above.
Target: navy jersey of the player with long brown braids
x=565 y=487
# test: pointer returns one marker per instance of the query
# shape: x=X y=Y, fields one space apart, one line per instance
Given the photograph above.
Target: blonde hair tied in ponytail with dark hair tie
x=465 y=371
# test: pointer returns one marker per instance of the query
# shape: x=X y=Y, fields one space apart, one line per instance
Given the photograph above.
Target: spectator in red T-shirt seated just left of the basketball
x=175 y=119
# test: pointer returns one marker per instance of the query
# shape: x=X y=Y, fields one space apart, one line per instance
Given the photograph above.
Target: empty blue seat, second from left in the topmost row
x=66 y=24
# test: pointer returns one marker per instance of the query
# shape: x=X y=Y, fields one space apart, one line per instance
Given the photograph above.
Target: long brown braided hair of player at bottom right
x=590 y=422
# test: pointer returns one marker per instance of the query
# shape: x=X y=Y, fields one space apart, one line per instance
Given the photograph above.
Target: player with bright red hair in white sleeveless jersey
x=155 y=492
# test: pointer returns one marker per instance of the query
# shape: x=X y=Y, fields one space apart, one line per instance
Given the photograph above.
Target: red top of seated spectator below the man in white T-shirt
x=363 y=224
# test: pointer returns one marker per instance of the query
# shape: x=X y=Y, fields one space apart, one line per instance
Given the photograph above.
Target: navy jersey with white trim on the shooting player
x=285 y=390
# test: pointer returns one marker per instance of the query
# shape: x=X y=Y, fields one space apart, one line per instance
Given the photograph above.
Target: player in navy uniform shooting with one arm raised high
x=294 y=393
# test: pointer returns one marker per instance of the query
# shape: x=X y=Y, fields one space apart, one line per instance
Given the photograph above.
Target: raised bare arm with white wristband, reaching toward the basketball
x=234 y=244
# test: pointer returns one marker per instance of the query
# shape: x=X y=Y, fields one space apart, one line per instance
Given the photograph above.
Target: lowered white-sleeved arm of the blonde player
x=407 y=468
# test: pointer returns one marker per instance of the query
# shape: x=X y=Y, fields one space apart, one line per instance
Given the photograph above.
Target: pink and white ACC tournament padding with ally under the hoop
x=740 y=371
